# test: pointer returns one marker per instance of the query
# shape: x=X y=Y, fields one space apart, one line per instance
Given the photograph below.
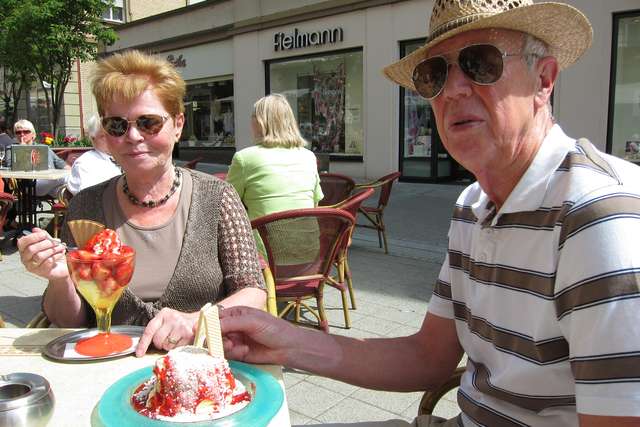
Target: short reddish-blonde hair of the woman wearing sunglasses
x=124 y=76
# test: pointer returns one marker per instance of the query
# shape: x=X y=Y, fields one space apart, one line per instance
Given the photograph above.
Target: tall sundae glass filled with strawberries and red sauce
x=101 y=271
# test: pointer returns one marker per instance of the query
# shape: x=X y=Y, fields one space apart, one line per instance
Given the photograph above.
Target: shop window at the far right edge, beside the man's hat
x=624 y=120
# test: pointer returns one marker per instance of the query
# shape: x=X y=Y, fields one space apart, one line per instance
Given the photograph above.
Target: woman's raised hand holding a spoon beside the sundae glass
x=42 y=256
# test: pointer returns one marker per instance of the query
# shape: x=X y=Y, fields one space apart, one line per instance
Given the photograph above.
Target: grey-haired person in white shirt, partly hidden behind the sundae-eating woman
x=94 y=166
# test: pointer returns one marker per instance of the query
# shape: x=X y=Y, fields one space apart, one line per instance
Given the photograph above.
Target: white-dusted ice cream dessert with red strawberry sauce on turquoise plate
x=190 y=385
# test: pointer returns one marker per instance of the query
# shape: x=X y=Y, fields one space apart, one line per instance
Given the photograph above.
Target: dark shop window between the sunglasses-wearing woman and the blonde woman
x=209 y=115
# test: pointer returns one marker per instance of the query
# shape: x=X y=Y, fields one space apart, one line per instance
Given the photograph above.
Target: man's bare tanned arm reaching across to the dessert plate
x=418 y=362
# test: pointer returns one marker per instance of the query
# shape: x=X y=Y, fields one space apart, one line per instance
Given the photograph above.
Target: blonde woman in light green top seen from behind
x=278 y=173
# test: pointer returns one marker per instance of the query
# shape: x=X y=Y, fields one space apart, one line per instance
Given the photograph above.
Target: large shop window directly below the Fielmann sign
x=325 y=93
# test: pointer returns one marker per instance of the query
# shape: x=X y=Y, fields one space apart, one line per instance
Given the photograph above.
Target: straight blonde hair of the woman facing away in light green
x=278 y=126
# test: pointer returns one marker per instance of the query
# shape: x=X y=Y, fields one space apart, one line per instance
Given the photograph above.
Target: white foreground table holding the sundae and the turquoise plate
x=20 y=351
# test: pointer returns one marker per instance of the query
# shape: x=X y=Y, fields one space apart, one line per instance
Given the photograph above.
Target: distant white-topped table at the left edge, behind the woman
x=27 y=188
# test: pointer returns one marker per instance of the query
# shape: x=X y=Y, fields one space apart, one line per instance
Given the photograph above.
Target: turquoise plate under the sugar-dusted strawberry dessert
x=115 y=410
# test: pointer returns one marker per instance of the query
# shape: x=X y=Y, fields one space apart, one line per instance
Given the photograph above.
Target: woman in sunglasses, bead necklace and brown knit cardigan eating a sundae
x=190 y=231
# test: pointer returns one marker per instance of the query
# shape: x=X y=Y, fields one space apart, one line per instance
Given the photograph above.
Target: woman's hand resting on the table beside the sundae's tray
x=167 y=330
